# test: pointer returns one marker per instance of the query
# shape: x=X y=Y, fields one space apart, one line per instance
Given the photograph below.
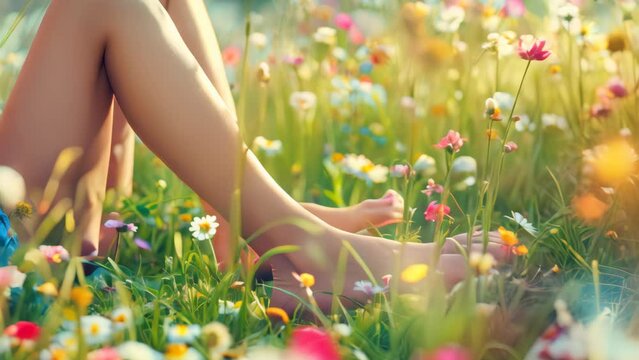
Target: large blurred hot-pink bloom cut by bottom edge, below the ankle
x=309 y=342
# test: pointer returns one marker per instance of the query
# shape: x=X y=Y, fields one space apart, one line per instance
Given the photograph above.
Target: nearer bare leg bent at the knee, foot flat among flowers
x=176 y=111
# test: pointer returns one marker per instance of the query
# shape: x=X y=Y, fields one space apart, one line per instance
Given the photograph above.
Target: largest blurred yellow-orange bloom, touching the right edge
x=611 y=163
